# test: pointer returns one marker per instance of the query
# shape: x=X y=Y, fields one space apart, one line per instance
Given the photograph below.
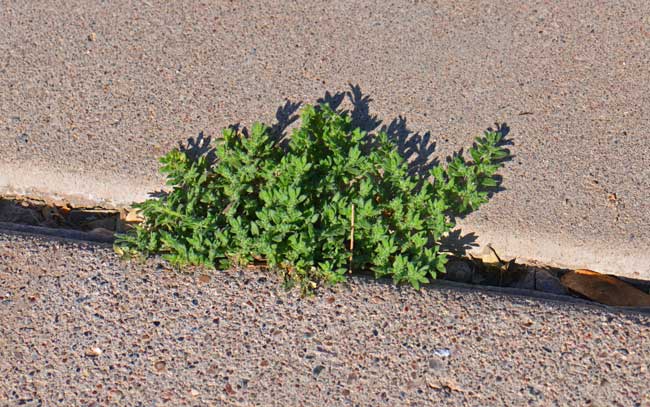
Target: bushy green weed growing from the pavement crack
x=334 y=201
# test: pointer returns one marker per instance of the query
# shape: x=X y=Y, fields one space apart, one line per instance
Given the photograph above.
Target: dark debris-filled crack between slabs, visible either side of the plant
x=94 y=223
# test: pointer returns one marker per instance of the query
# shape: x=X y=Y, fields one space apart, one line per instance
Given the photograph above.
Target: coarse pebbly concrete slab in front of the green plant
x=79 y=327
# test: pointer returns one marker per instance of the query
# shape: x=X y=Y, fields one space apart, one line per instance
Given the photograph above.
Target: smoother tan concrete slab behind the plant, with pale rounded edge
x=93 y=92
